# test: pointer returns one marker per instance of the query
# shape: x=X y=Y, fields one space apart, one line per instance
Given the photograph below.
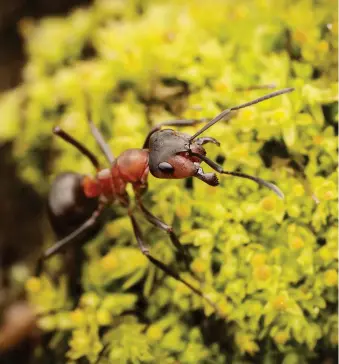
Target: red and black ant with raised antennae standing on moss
x=165 y=154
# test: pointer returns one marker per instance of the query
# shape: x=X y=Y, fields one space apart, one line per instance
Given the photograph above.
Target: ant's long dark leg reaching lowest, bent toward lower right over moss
x=163 y=267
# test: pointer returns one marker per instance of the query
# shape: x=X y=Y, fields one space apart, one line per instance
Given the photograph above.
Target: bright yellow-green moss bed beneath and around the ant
x=270 y=265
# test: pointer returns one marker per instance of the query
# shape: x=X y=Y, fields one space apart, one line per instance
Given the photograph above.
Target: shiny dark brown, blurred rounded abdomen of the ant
x=68 y=206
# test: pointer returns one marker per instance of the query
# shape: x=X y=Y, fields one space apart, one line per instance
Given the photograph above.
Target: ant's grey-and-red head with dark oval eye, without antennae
x=170 y=154
